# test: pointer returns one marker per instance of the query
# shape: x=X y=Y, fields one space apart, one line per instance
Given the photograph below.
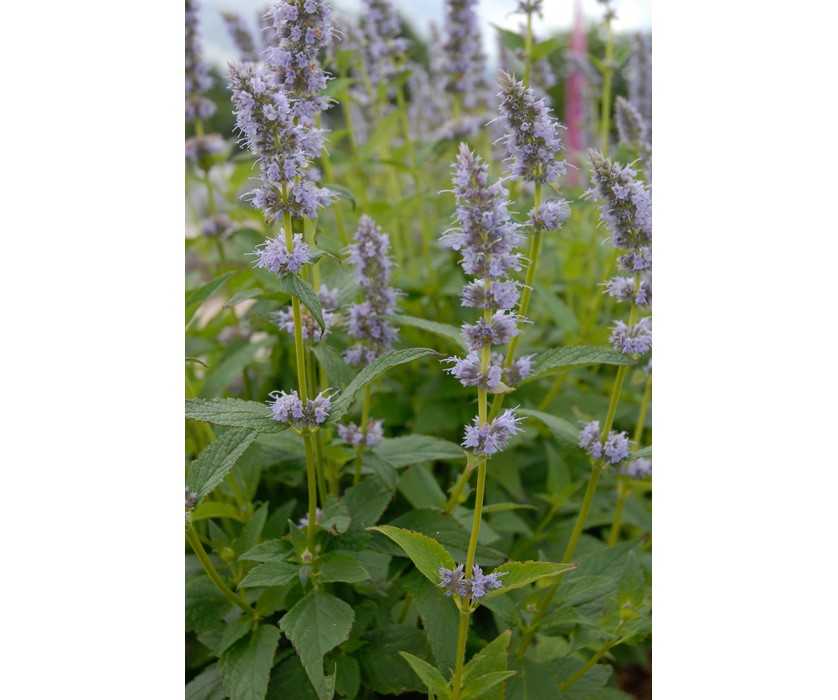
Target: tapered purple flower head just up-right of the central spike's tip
x=532 y=135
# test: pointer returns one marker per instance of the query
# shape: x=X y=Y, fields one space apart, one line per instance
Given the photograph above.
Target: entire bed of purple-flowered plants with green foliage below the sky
x=418 y=435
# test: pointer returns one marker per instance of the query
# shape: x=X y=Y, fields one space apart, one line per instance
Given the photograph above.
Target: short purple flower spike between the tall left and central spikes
x=370 y=256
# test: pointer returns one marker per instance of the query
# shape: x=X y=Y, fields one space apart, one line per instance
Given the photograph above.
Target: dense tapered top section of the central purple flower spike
x=487 y=237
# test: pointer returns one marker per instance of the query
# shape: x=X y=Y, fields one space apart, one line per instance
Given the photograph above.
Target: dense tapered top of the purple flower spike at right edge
x=626 y=203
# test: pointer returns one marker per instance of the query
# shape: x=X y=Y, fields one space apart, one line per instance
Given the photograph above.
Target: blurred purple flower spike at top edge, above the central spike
x=465 y=62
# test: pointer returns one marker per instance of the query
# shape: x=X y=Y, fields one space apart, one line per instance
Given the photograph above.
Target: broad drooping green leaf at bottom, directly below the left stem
x=315 y=626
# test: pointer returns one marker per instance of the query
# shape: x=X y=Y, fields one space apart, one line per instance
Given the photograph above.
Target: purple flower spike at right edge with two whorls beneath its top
x=627 y=213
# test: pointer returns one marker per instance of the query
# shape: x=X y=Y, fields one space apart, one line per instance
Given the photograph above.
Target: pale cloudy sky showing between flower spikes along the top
x=632 y=15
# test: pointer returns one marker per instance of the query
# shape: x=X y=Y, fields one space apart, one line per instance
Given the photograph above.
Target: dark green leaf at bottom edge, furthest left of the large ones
x=246 y=666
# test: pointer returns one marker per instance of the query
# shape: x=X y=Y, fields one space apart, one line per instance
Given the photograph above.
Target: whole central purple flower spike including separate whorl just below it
x=487 y=239
